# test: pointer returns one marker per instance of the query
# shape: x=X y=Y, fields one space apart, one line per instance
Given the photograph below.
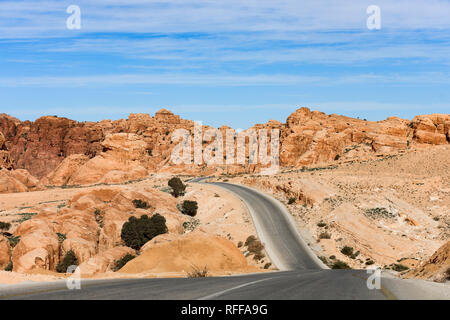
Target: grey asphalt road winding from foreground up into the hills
x=305 y=277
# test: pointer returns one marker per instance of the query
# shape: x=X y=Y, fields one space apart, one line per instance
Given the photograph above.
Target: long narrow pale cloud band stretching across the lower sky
x=221 y=80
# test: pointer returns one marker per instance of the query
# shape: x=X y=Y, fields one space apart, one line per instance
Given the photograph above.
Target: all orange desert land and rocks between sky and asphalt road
x=364 y=194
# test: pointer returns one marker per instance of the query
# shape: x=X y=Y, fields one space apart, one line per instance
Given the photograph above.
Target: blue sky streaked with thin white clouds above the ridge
x=234 y=62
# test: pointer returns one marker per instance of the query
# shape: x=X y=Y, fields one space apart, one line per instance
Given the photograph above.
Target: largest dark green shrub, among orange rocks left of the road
x=136 y=232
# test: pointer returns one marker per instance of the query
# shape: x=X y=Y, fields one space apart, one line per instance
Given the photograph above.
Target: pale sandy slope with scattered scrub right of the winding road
x=391 y=211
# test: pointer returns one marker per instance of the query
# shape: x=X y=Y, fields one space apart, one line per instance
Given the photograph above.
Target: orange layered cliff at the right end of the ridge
x=311 y=137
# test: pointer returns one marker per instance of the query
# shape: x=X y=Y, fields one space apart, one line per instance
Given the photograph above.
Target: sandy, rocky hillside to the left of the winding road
x=90 y=219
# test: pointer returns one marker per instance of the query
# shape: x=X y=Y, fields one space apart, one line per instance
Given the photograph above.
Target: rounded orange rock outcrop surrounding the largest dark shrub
x=90 y=224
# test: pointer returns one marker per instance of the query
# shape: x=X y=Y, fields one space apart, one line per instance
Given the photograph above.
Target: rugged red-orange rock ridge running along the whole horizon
x=144 y=142
